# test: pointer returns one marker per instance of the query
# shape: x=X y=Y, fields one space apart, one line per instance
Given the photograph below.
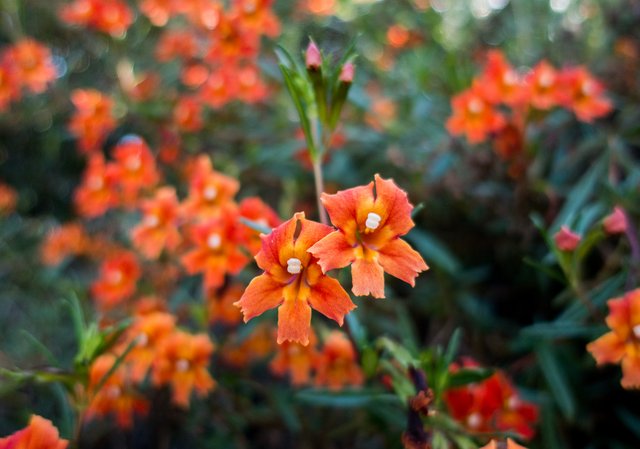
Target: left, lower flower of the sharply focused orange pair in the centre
x=293 y=281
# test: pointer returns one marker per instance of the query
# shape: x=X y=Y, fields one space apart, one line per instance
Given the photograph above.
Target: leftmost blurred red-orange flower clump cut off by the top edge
x=109 y=16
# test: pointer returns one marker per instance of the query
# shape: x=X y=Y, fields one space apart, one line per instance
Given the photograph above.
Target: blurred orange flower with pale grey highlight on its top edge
x=133 y=168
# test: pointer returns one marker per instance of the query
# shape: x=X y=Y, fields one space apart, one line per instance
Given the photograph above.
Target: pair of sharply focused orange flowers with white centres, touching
x=297 y=255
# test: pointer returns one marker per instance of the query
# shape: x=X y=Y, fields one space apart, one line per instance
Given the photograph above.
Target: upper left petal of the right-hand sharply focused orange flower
x=344 y=205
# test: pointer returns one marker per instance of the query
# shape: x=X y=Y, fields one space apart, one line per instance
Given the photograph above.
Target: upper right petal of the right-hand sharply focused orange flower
x=395 y=204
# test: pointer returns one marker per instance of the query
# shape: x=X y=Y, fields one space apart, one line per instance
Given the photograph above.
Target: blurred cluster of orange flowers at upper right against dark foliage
x=500 y=100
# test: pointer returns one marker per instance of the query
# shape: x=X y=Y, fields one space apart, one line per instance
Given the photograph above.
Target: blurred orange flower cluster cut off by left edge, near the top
x=26 y=65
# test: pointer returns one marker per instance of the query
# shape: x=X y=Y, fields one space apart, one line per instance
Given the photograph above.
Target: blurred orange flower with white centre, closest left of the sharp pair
x=217 y=250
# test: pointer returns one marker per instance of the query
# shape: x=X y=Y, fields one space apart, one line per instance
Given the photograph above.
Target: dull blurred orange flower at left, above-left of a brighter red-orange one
x=69 y=239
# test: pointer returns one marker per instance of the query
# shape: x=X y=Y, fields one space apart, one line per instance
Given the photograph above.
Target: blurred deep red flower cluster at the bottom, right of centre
x=491 y=405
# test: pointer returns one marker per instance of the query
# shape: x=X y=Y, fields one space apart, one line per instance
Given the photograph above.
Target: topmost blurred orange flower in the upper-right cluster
x=500 y=83
